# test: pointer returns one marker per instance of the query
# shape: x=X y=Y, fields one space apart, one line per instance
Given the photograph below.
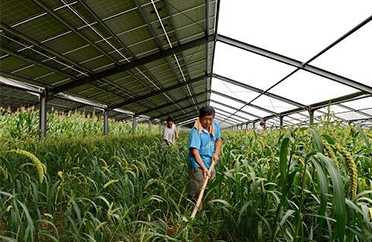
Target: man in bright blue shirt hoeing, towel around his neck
x=204 y=147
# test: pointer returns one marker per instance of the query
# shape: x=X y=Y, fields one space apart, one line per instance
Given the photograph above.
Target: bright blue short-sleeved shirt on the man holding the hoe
x=204 y=142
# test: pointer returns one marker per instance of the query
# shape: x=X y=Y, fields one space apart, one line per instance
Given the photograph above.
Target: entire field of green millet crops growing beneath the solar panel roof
x=293 y=184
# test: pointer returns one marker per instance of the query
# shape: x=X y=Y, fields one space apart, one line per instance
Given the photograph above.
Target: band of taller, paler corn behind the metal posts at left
x=23 y=125
